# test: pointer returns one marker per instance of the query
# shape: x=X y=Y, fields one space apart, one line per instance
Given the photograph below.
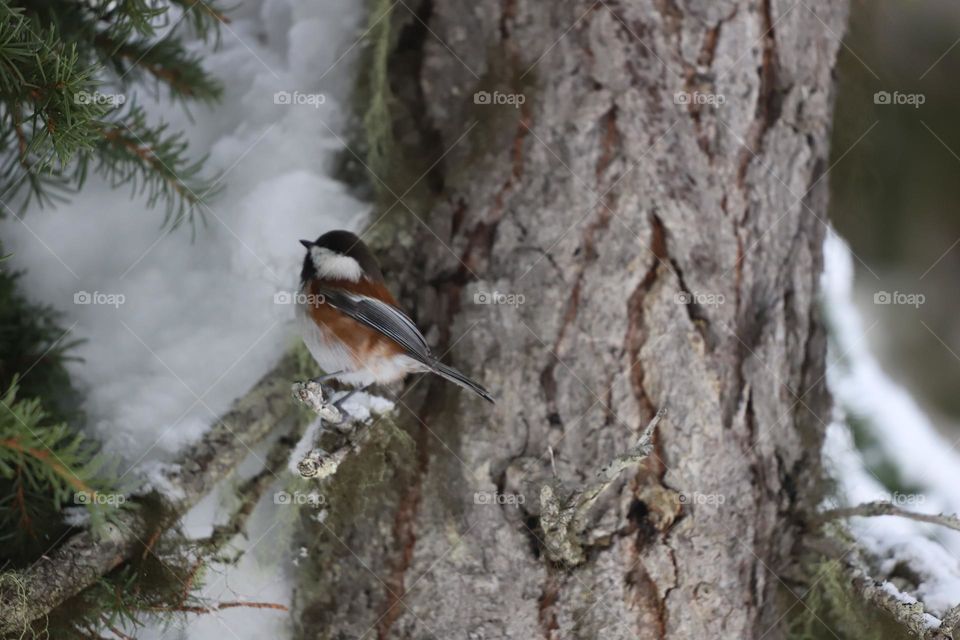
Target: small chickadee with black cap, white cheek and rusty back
x=353 y=326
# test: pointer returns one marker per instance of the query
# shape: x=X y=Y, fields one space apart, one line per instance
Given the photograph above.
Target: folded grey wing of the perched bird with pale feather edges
x=382 y=318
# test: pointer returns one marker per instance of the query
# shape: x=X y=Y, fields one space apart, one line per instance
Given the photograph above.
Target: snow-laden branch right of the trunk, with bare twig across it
x=898 y=432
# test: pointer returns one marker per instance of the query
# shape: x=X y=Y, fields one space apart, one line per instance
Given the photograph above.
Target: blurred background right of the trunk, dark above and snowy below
x=890 y=289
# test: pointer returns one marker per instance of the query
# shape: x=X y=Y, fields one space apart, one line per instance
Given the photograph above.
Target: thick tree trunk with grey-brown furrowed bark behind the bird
x=662 y=253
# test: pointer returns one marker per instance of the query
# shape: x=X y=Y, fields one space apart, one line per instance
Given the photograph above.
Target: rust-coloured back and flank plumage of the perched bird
x=364 y=343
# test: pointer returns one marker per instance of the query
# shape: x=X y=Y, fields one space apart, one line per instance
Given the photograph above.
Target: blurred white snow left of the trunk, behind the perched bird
x=176 y=330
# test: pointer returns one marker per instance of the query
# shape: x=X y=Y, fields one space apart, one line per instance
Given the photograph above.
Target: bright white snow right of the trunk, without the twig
x=904 y=435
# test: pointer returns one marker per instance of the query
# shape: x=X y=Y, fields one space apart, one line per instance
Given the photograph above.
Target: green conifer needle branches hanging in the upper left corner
x=67 y=68
